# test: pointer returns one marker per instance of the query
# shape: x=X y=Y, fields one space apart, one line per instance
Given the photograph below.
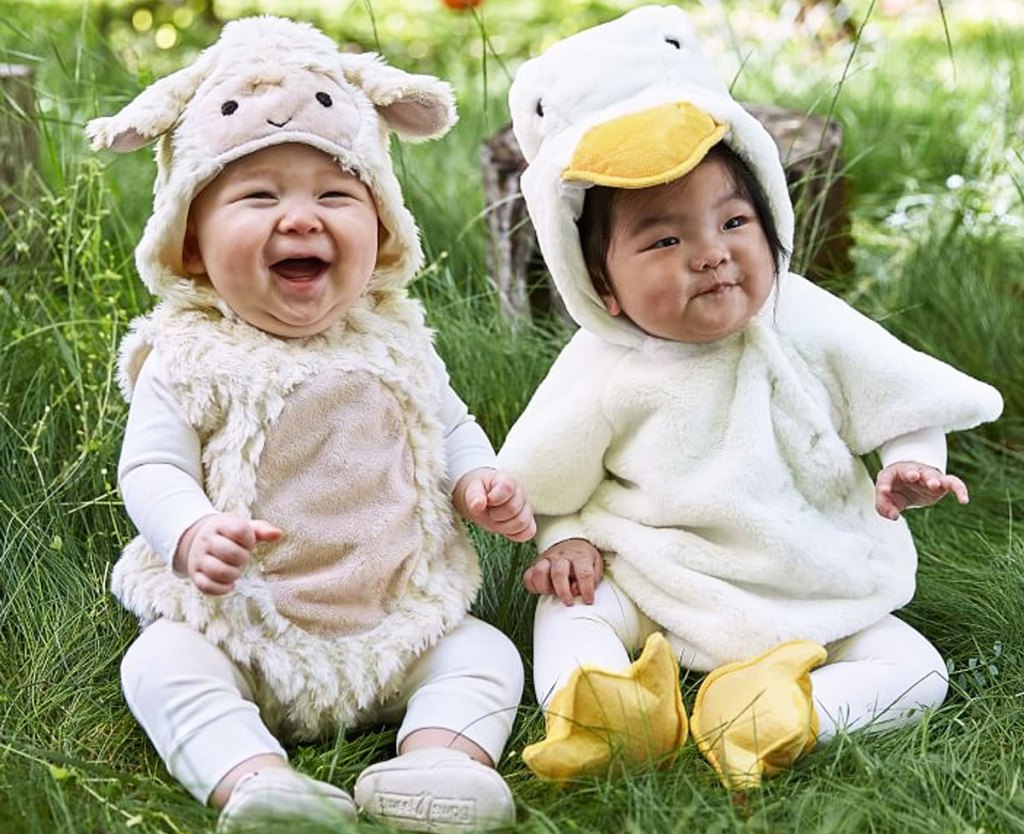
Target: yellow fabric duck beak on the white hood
x=646 y=149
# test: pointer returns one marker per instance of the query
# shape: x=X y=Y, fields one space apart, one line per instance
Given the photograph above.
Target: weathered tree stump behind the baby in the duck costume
x=812 y=151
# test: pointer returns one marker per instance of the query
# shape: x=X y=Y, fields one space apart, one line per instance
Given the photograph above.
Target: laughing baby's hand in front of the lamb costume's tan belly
x=219 y=547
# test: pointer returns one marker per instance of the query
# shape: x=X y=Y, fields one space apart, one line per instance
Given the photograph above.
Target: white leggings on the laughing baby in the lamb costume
x=197 y=705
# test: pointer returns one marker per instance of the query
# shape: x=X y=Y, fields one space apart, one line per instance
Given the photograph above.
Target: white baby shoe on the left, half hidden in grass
x=283 y=796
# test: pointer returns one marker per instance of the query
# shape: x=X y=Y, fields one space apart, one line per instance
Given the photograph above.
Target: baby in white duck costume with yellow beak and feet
x=699 y=440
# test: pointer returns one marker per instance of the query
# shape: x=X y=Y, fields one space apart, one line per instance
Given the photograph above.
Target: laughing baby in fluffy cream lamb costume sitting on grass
x=294 y=450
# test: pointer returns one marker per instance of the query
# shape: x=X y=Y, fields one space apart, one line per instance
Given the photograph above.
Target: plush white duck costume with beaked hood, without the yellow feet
x=722 y=482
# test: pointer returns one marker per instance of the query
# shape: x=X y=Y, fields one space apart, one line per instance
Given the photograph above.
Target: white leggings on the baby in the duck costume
x=876 y=680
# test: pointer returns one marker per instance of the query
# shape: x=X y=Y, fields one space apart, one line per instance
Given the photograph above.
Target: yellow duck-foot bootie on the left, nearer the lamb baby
x=603 y=720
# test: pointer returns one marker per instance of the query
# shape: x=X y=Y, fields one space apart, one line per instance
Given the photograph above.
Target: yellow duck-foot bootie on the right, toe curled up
x=755 y=719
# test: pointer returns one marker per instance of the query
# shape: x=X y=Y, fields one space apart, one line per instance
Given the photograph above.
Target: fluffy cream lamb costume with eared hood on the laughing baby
x=352 y=438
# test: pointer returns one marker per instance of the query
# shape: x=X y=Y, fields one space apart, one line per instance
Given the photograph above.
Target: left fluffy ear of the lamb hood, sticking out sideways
x=152 y=113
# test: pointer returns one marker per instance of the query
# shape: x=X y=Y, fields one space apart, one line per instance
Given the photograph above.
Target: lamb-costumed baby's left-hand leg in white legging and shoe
x=197 y=708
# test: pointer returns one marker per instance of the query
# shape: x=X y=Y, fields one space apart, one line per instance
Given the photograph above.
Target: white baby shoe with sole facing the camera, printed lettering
x=436 y=790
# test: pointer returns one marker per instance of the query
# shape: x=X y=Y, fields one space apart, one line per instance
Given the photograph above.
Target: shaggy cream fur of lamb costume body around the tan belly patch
x=234 y=383
